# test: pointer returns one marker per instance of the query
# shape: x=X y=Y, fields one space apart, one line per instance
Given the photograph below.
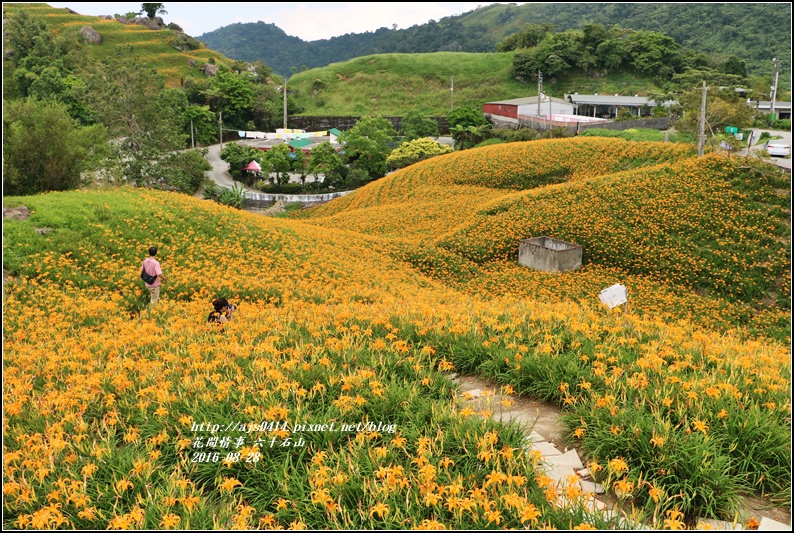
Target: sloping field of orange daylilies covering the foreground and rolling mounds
x=325 y=403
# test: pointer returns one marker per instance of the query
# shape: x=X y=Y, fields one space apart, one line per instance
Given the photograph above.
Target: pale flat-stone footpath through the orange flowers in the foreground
x=564 y=466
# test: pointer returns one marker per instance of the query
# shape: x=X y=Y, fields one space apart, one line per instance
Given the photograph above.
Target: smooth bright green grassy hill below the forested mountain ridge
x=388 y=84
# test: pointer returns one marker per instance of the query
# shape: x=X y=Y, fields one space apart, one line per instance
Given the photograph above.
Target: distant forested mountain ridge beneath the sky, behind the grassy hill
x=754 y=32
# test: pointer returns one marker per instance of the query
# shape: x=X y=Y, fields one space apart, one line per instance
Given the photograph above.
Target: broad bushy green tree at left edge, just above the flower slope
x=44 y=149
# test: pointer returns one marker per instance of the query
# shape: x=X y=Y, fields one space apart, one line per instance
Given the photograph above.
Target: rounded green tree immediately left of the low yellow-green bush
x=366 y=146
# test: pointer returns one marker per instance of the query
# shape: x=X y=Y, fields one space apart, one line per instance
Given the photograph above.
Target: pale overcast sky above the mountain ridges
x=308 y=20
